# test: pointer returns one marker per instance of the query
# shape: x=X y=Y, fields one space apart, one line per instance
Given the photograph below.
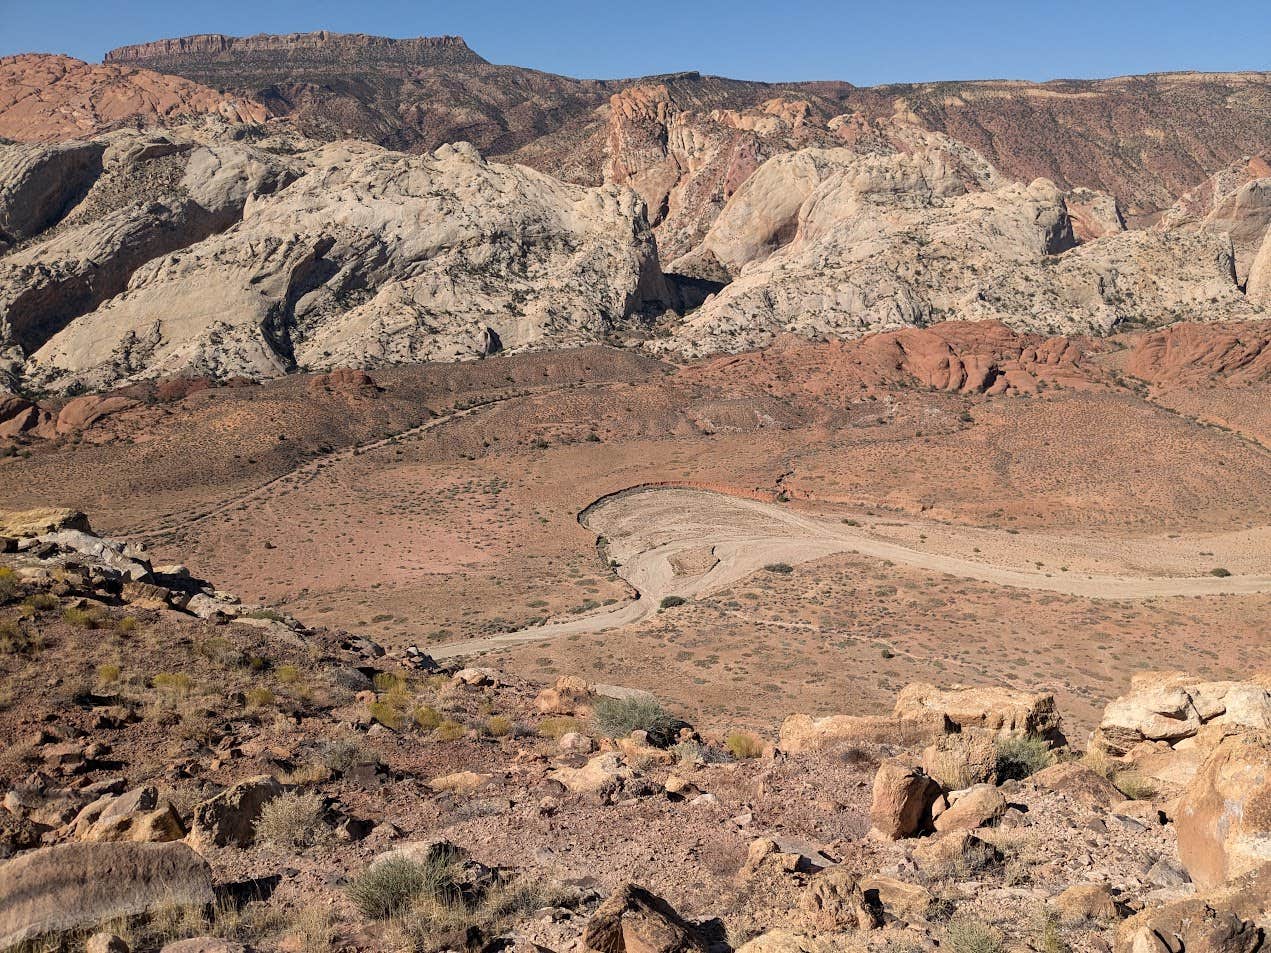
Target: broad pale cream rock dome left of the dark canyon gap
x=374 y=257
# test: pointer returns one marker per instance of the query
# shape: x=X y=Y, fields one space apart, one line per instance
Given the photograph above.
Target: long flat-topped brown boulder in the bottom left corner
x=74 y=888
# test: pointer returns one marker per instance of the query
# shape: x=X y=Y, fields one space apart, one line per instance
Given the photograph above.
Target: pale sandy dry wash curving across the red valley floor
x=650 y=534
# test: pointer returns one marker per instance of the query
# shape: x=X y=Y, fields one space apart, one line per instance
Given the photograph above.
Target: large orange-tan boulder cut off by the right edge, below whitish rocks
x=1225 y=815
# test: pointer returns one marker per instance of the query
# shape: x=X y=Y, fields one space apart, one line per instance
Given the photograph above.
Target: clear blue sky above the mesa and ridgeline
x=885 y=41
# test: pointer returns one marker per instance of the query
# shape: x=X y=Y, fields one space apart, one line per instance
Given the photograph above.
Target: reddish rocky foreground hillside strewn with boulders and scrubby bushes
x=190 y=773
